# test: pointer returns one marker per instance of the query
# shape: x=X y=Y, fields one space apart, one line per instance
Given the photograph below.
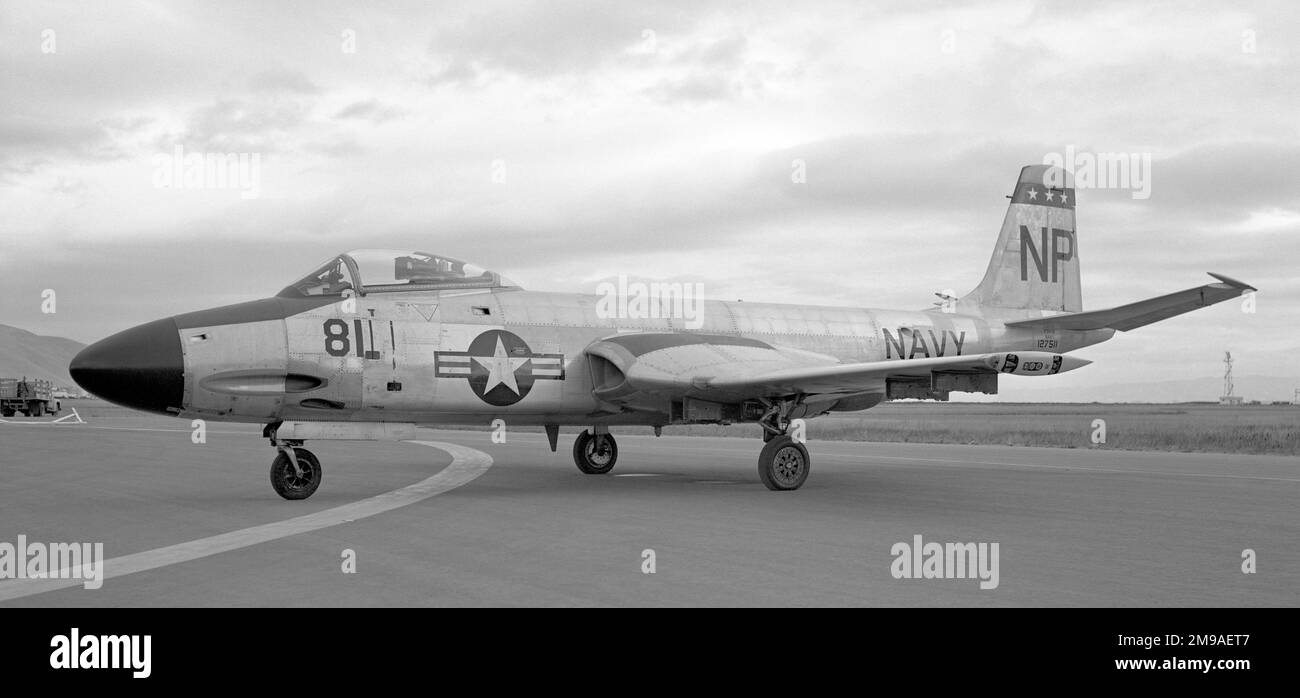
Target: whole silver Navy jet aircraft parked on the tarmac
x=376 y=344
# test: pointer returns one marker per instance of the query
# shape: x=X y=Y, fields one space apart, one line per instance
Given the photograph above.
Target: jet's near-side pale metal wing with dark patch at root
x=731 y=368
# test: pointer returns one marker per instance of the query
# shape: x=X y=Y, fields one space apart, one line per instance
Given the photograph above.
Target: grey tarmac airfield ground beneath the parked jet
x=200 y=524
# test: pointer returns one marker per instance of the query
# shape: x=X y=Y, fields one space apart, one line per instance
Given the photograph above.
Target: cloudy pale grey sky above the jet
x=562 y=144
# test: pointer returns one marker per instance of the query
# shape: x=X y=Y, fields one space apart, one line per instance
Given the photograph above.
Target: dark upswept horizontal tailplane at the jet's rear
x=1145 y=313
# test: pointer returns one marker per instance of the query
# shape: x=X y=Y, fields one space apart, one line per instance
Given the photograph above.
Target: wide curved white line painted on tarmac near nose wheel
x=466 y=466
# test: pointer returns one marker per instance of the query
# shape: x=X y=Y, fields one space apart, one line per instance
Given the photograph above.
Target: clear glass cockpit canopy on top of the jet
x=387 y=271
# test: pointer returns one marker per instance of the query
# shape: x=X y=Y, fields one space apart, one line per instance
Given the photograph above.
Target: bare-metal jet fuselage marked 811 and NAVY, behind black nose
x=406 y=357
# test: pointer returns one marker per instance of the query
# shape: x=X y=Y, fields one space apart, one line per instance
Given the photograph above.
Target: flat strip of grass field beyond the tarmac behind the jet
x=1208 y=428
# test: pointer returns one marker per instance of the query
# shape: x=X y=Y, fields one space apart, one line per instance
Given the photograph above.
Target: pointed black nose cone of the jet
x=141 y=368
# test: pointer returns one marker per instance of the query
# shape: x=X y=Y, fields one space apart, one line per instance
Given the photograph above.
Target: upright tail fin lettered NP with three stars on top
x=1035 y=266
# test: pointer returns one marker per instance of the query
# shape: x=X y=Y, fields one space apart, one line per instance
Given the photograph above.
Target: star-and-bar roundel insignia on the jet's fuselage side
x=500 y=367
